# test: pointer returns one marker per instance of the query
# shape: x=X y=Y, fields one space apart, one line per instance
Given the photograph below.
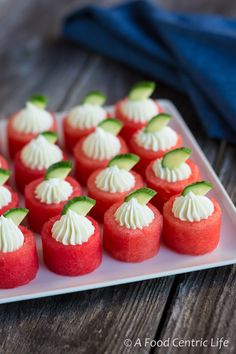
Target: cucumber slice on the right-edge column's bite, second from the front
x=175 y=158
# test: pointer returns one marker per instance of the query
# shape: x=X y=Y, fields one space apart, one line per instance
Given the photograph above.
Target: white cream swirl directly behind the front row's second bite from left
x=53 y=191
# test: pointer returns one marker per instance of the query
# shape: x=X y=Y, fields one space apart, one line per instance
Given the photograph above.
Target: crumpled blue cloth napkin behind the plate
x=193 y=53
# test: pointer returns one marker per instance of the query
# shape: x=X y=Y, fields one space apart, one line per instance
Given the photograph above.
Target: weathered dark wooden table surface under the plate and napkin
x=191 y=306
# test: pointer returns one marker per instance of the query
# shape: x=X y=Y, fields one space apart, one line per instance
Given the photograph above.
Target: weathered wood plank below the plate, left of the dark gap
x=91 y=321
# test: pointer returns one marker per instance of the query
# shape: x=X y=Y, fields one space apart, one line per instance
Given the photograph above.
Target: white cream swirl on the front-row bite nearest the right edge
x=192 y=207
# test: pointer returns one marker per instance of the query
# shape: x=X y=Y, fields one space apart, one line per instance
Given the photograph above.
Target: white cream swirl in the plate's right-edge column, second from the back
x=163 y=139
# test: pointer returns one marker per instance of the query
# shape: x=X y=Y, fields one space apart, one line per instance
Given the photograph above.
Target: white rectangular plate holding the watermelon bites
x=113 y=272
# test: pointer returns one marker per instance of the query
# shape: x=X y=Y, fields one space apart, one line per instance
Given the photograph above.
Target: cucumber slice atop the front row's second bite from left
x=81 y=205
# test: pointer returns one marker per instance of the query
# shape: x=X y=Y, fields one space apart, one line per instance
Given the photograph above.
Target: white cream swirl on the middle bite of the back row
x=86 y=116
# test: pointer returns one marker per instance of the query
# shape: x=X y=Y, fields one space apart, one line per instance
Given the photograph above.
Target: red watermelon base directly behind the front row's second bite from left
x=40 y=213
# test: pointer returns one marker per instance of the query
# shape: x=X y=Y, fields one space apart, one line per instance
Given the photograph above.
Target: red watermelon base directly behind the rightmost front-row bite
x=165 y=190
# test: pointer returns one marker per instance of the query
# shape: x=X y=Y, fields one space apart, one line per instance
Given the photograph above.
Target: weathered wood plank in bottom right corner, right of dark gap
x=202 y=307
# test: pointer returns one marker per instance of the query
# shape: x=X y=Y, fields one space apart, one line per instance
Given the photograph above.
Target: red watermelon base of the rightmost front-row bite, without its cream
x=194 y=238
